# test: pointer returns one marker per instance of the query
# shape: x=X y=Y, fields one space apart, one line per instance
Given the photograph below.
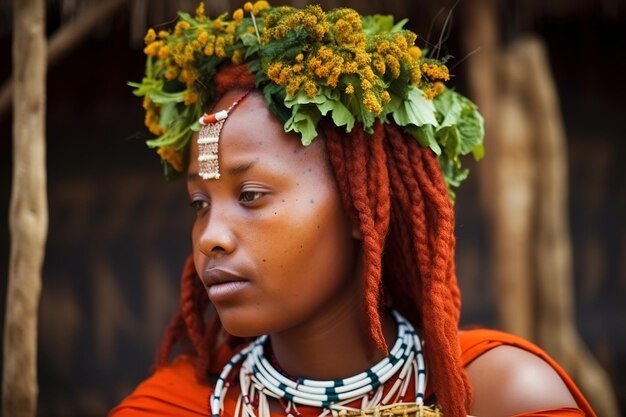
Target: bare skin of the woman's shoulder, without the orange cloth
x=507 y=381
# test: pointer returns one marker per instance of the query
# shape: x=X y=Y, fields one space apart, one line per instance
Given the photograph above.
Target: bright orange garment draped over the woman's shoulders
x=174 y=391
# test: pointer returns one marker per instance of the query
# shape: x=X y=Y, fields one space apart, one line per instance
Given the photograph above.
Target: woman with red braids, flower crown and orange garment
x=322 y=279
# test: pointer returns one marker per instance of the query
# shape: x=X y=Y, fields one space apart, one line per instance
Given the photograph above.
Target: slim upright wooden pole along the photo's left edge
x=28 y=217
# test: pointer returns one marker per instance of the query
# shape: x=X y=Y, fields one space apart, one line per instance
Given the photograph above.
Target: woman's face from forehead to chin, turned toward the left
x=272 y=244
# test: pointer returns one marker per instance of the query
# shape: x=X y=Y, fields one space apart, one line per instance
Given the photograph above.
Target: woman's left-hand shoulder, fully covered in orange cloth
x=171 y=390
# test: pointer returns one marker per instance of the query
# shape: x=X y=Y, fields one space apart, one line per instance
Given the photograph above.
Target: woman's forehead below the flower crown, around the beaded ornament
x=252 y=133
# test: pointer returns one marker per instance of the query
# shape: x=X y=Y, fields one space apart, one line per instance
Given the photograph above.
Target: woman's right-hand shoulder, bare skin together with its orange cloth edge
x=510 y=375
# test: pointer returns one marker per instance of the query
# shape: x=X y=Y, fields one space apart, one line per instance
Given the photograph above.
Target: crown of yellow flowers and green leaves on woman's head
x=308 y=64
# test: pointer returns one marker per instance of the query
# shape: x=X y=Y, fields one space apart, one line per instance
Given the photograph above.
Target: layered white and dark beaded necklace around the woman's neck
x=259 y=379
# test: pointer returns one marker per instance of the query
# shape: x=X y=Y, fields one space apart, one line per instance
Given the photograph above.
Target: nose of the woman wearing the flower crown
x=215 y=235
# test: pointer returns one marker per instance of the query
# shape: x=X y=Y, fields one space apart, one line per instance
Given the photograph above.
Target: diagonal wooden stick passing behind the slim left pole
x=67 y=38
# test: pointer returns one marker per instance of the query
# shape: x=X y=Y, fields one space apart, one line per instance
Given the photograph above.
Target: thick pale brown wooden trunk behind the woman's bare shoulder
x=524 y=191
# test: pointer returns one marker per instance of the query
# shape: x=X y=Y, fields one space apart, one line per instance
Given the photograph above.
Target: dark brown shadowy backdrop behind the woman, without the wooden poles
x=118 y=232
